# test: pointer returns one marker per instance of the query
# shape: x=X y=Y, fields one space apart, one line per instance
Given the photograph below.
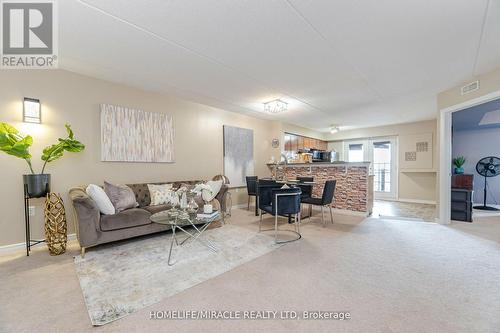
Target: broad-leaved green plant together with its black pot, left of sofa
x=15 y=144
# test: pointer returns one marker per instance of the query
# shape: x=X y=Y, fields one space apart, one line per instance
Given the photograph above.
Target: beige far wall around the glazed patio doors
x=419 y=186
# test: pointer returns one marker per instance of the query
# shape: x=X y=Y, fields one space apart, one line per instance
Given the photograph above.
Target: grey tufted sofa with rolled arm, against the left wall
x=93 y=228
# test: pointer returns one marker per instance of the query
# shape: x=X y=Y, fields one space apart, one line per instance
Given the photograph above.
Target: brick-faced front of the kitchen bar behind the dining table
x=352 y=190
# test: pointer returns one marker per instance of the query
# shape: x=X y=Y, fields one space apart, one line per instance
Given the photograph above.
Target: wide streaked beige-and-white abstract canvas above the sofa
x=129 y=135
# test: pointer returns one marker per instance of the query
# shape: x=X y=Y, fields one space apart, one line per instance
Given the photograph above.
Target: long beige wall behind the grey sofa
x=72 y=98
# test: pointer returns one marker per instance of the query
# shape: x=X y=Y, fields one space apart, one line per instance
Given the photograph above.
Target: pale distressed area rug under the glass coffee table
x=119 y=279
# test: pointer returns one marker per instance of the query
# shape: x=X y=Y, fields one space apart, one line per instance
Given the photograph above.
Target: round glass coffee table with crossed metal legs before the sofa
x=182 y=221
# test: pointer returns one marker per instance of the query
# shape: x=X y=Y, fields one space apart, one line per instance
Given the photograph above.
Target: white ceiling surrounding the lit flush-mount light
x=353 y=63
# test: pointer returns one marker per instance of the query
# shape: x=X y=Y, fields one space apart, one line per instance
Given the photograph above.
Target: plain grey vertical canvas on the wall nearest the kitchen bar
x=238 y=155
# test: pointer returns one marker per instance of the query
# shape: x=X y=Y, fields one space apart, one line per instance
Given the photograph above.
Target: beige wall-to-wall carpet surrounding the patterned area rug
x=393 y=276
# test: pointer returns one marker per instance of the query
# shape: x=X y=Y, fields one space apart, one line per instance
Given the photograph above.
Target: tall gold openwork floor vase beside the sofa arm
x=56 y=226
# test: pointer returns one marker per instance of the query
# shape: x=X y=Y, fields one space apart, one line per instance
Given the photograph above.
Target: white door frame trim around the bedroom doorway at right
x=445 y=151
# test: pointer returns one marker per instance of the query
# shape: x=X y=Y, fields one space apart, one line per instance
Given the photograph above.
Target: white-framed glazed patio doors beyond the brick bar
x=382 y=153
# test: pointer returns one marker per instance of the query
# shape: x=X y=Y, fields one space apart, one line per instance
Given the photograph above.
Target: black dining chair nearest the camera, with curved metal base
x=279 y=201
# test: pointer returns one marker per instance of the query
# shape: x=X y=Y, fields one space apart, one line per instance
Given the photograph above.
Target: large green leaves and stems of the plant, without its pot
x=13 y=143
